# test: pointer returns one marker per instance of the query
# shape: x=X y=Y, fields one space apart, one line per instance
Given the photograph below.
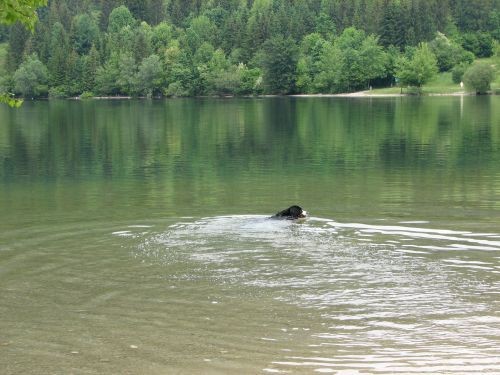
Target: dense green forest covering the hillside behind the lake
x=154 y=48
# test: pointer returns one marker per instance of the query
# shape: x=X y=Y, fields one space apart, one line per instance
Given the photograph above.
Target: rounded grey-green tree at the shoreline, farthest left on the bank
x=30 y=79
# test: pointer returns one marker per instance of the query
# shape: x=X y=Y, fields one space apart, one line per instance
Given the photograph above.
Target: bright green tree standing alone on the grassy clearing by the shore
x=419 y=68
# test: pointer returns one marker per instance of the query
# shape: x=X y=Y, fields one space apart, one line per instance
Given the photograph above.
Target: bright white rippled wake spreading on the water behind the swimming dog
x=393 y=298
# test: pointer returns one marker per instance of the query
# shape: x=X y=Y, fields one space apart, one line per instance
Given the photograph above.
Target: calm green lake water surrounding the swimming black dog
x=135 y=236
